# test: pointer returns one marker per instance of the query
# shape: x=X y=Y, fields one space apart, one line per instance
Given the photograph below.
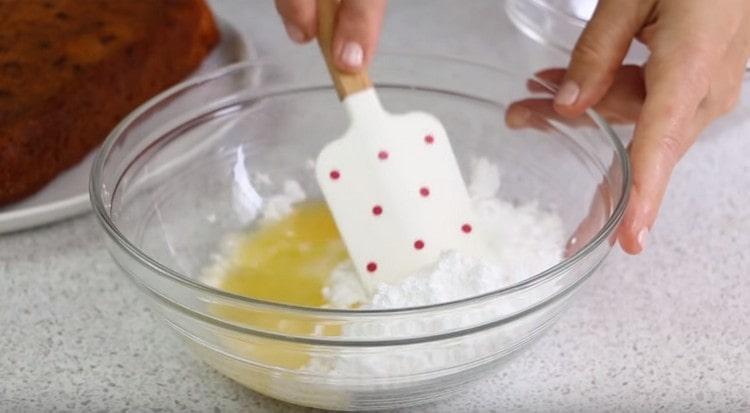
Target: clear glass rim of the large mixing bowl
x=122 y=242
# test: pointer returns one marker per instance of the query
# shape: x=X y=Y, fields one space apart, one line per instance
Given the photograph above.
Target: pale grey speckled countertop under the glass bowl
x=668 y=330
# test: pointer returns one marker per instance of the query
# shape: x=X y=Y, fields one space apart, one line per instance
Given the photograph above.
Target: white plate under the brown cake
x=68 y=195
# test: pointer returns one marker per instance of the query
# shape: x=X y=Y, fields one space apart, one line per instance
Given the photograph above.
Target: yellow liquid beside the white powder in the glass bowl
x=286 y=261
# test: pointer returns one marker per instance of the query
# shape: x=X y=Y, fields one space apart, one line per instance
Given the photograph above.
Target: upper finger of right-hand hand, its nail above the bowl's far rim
x=598 y=55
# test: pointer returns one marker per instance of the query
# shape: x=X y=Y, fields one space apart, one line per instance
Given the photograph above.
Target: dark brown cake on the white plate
x=71 y=69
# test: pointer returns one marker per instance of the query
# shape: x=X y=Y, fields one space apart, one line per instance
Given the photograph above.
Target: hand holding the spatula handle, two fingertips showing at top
x=355 y=36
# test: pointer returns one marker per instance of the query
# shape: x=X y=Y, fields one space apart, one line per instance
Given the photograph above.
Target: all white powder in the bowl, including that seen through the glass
x=524 y=241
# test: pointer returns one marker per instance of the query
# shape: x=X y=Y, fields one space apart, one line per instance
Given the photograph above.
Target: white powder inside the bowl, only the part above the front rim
x=523 y=240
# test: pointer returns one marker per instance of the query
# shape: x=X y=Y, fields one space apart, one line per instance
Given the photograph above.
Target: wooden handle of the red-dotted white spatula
x=346 y=83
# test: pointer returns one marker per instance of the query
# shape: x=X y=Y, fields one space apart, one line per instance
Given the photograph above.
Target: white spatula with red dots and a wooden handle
x=391 y=181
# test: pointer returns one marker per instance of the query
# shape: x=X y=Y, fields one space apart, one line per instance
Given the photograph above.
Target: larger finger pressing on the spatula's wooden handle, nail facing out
x=357 y=31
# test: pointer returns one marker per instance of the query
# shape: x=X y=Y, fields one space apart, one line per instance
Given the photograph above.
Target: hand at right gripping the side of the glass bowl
x=699 y=50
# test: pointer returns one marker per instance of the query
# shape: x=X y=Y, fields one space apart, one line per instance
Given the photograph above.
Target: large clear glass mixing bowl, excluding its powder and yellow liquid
x=172 y=180
